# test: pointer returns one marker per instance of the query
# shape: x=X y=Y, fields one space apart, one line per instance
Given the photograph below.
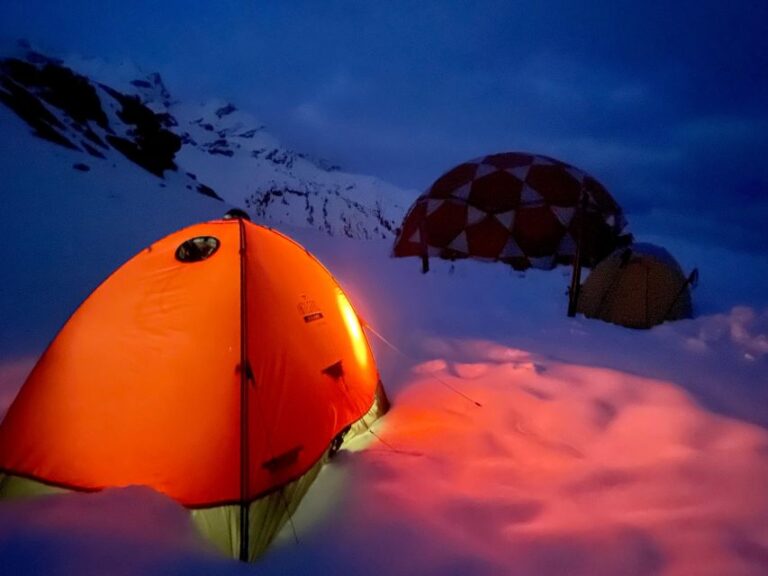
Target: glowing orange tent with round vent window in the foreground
x=220 y=366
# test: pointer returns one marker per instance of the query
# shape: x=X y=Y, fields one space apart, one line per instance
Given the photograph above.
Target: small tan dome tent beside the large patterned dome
x=638 y=287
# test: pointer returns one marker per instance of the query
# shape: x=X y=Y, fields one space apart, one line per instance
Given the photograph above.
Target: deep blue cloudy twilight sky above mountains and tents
x=666 y=102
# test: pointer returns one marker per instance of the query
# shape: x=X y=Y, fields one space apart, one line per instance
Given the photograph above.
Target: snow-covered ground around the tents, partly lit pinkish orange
x=596 y=449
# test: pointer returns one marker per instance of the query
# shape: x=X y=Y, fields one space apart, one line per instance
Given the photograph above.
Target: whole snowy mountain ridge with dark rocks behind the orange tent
x=213 y=148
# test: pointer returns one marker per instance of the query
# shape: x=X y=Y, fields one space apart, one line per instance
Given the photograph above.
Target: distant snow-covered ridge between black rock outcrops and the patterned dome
x=231 y=150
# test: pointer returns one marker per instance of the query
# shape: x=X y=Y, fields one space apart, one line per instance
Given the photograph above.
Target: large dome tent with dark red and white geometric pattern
x=526 y=210
